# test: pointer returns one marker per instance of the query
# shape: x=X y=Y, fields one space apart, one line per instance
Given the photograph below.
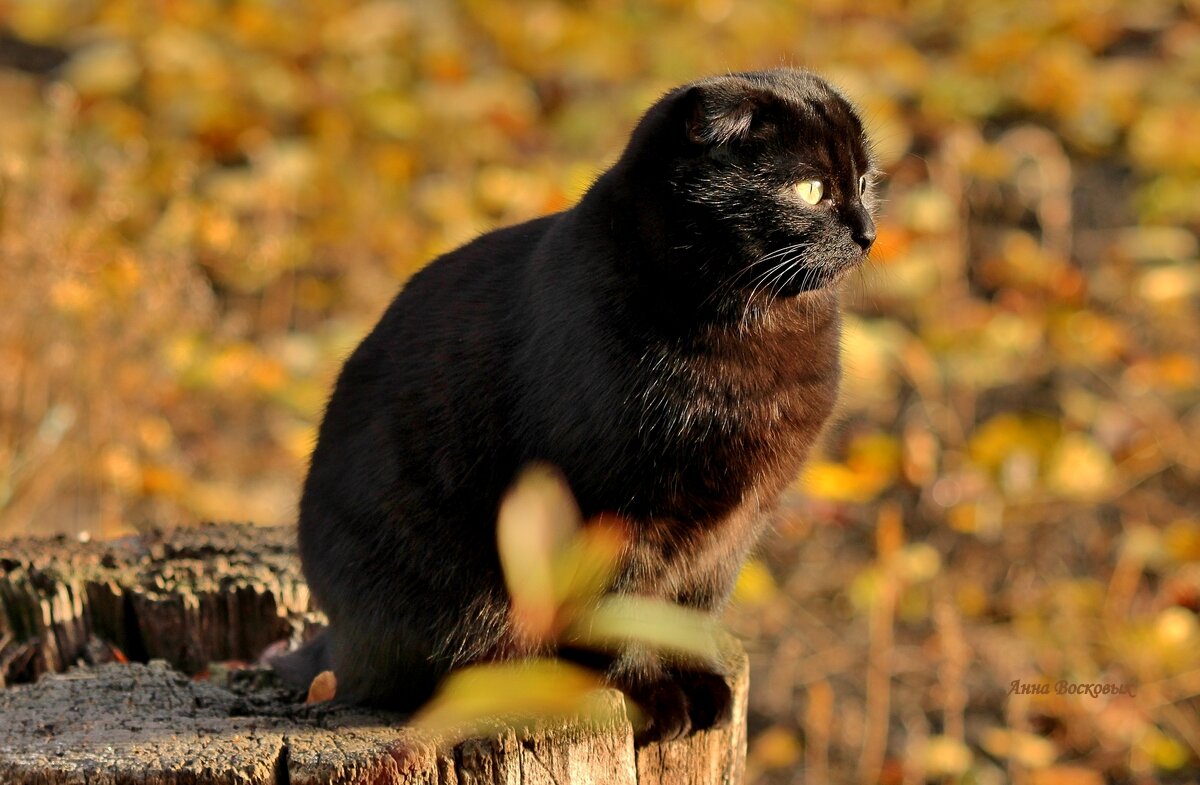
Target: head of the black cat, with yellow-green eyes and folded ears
x=769 y=177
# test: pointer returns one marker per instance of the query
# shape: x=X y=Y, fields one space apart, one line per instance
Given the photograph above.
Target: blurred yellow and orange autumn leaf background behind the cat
x=206 y=205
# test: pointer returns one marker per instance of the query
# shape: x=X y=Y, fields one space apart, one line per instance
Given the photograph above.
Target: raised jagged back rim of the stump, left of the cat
x=190 y=597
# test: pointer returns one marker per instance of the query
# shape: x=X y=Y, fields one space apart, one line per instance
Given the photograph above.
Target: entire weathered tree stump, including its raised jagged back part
x=225 y=592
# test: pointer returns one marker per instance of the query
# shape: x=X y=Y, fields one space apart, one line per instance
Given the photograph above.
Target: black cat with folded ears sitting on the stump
x=670 y=344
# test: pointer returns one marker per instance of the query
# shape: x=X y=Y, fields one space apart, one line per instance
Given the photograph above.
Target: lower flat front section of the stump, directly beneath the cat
x=152 y=726
